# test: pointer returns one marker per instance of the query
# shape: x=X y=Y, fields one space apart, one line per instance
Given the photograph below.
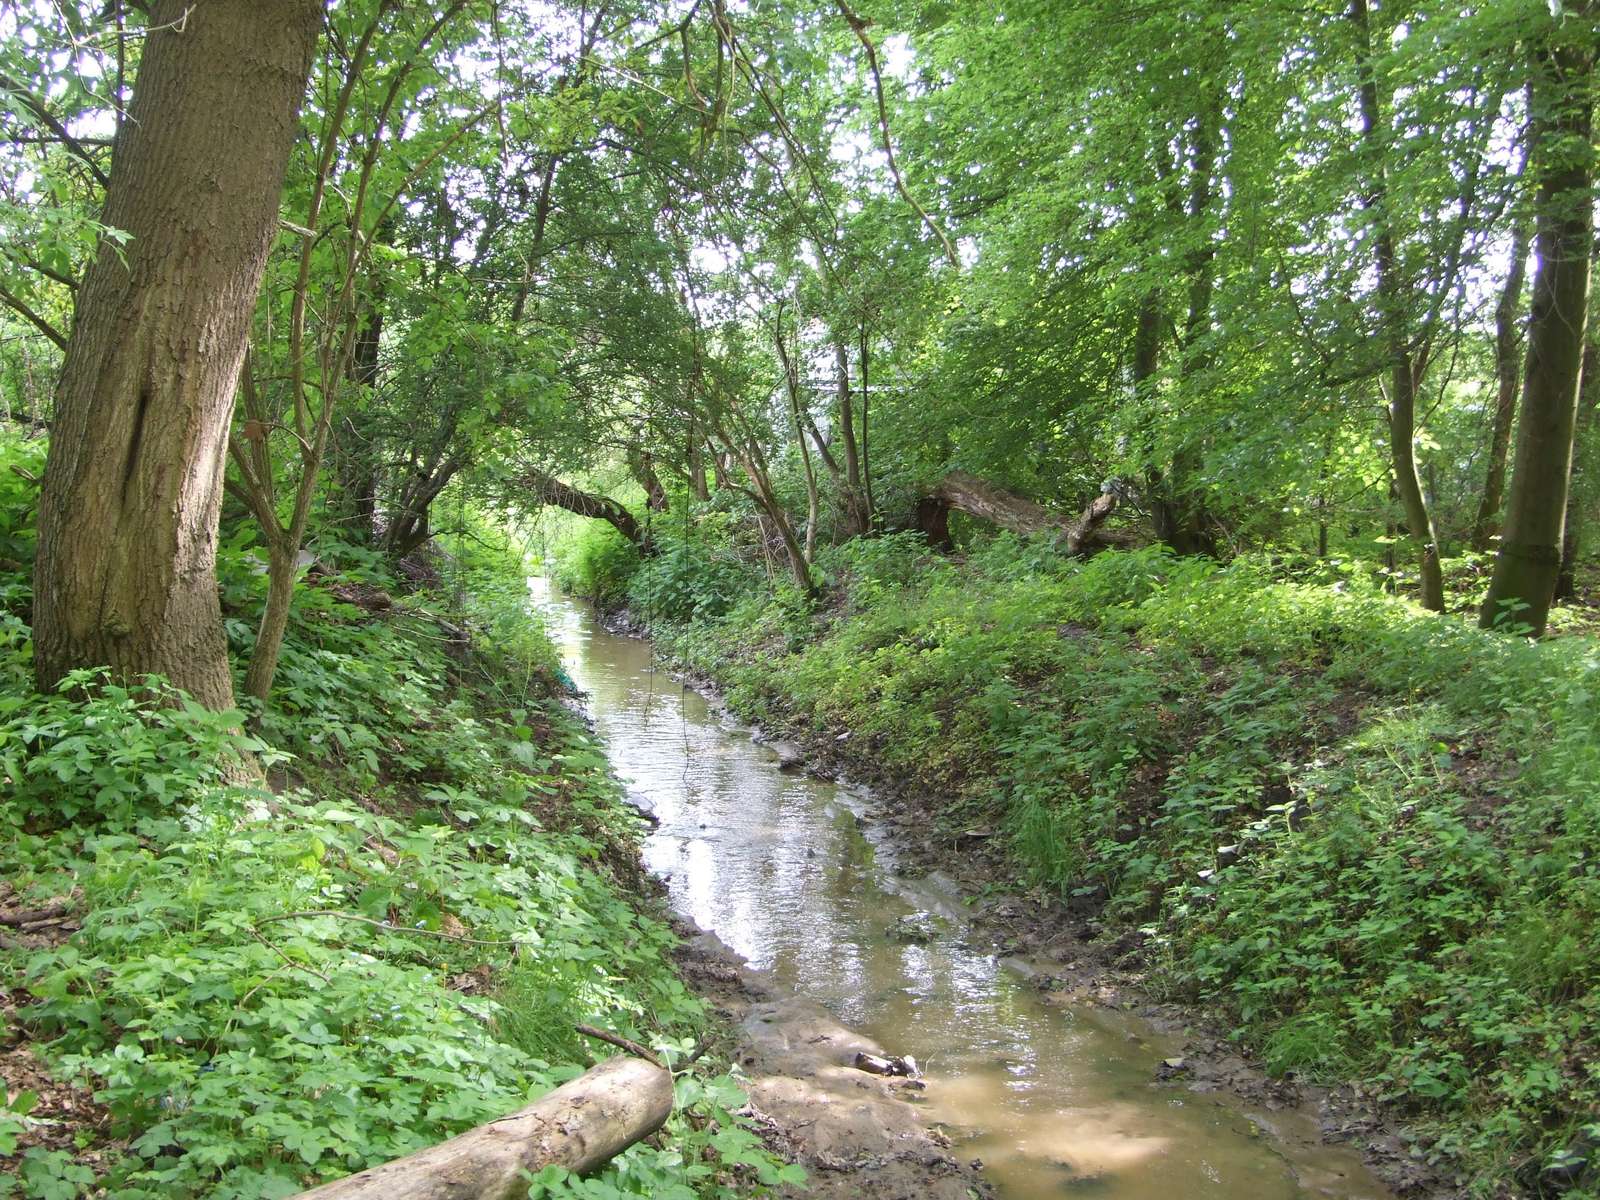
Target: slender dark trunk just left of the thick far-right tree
x=1404 y=370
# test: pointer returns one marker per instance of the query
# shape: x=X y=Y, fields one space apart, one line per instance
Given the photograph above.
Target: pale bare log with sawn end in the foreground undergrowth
x=582 y=1126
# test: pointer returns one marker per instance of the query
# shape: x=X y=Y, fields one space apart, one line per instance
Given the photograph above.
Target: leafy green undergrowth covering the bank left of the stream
x=273 y=990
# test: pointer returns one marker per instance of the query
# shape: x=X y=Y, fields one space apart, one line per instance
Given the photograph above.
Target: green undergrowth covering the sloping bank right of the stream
x=1366 y=833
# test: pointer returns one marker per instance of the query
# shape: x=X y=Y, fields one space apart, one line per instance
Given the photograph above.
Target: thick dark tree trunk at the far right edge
x=1530 y=553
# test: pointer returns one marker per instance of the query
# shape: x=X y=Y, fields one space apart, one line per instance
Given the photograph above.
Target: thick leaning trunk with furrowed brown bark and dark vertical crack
x=134 y=489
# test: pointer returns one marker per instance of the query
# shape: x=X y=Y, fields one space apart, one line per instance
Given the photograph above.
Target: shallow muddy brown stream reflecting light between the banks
x=1057 y=1100
